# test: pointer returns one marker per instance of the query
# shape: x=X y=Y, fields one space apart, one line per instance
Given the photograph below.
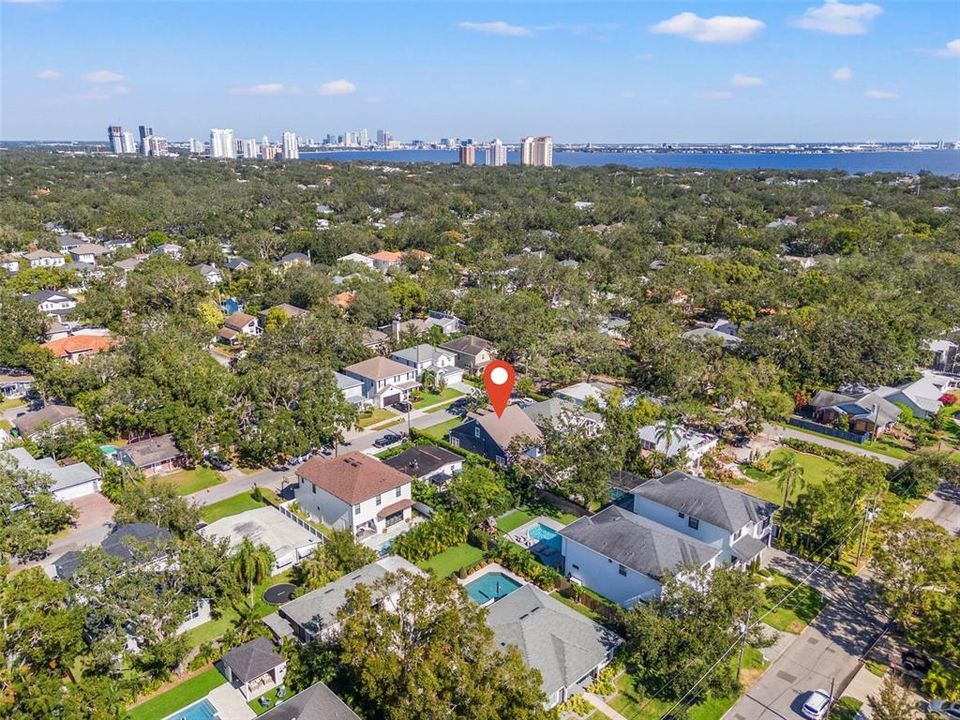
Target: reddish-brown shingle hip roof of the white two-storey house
x=353 y=477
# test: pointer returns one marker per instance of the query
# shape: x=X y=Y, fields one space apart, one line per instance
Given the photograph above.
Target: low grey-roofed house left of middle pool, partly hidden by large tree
x=314 y=614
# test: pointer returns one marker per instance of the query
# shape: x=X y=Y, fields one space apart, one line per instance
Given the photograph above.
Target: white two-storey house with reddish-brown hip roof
x=354 y=492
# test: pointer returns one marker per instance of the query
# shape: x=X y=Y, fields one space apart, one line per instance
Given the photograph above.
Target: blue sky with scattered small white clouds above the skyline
x=602 y=72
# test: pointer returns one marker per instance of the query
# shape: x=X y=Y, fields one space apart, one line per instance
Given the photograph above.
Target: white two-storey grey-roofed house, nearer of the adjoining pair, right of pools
x=624 y=556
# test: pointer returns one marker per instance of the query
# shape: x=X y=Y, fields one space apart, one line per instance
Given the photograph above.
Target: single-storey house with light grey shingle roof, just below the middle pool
x=568 y=648
